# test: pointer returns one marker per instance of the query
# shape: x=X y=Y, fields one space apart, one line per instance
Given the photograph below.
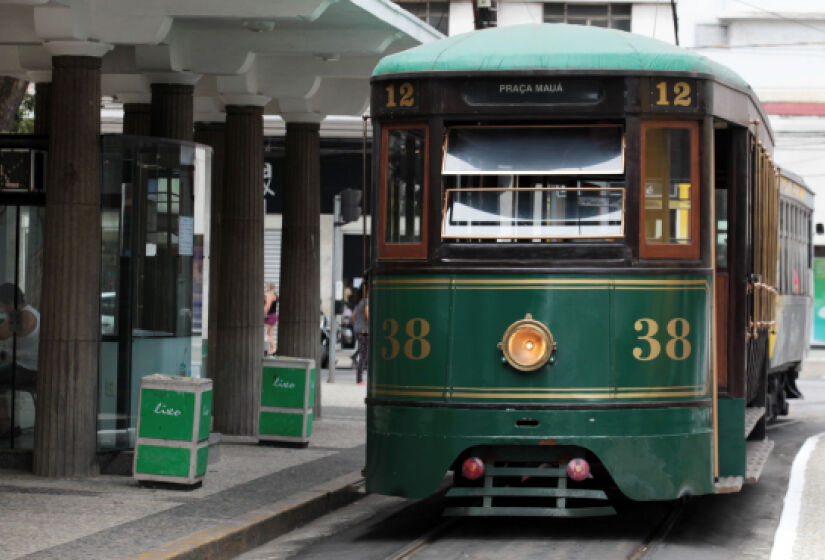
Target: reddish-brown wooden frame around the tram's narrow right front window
x=672 y=250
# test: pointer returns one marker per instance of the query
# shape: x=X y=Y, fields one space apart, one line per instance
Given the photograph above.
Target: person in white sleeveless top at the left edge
x=24 y=321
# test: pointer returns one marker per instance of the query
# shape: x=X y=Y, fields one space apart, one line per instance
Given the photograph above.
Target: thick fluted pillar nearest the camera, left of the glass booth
x=66 y=423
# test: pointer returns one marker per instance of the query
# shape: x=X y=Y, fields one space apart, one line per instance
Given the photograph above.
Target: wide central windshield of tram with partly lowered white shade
x=533 y=183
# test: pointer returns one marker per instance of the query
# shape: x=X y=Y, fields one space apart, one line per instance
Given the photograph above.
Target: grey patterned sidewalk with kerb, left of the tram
x=250 y=491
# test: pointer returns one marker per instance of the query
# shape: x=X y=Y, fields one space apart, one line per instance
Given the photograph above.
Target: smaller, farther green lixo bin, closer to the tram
x=287 y=394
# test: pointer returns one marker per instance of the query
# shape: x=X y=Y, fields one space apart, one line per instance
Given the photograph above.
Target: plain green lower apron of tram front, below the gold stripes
x=651 y=453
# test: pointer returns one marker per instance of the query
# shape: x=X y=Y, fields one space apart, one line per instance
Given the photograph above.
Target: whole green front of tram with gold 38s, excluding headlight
x=423 y=416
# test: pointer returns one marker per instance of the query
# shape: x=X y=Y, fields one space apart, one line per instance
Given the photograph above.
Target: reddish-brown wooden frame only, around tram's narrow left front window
x=402 y=250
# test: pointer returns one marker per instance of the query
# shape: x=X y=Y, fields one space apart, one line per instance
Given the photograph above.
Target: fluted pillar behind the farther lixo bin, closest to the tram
x=300 y=244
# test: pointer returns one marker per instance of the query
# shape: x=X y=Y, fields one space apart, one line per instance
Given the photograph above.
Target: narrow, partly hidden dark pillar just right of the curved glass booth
x=212 y=134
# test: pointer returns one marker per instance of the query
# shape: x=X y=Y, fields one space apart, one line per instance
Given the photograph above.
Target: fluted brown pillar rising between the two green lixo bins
x=239 y=340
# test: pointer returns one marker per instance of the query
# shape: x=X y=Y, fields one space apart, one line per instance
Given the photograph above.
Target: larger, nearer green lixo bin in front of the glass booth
x=174 y=417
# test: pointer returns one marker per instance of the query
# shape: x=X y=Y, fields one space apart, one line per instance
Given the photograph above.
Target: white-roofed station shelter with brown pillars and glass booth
x=143 y=252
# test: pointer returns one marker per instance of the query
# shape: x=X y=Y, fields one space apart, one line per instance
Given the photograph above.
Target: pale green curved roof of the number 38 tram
x=552 y=47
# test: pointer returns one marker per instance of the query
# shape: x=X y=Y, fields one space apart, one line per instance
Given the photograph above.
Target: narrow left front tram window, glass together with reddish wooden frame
x=403 y=196
